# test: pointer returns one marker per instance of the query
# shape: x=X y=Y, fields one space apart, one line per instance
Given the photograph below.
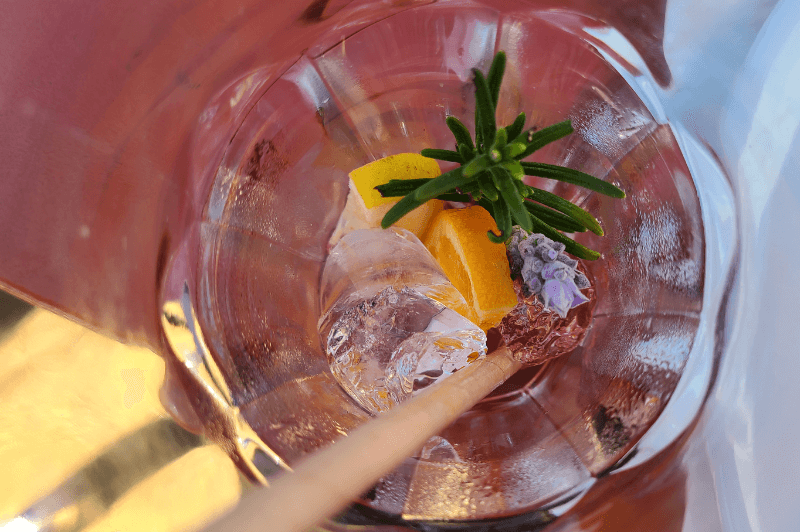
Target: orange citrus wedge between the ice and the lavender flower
x=476 y=266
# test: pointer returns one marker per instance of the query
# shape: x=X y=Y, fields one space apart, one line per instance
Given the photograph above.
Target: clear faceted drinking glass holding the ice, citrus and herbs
x=240 y=300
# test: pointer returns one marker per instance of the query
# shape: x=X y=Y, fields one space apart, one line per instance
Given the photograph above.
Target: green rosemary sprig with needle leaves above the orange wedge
x=492 y=170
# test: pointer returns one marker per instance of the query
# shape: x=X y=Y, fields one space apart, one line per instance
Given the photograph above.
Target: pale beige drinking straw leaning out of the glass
x=328 y=481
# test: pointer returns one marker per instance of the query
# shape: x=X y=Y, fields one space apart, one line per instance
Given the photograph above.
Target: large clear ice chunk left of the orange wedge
x=389 y=330
